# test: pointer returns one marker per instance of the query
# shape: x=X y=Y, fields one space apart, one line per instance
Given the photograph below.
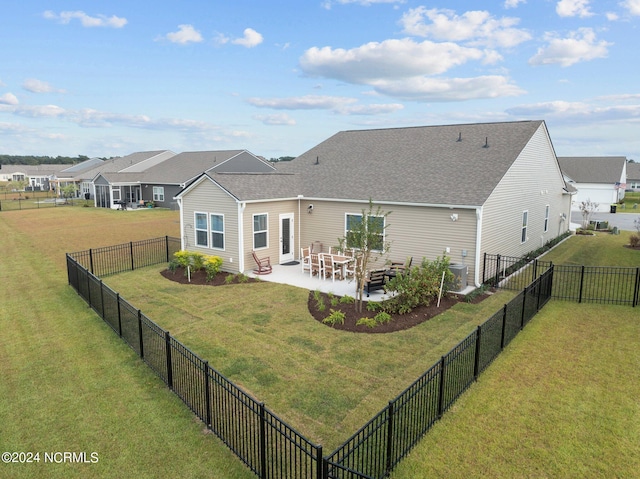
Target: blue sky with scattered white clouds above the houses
x=108 y=78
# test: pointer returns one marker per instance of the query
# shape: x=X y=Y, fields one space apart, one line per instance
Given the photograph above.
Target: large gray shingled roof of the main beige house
x=428 y=165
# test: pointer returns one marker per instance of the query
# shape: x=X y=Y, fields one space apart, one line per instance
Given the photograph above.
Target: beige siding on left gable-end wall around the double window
x=206 y=197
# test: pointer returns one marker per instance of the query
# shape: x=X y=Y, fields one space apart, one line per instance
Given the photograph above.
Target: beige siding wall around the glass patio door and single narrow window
x=273 y=210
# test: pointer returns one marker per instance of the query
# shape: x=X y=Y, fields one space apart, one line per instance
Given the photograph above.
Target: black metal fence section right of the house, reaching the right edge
x=584 y=284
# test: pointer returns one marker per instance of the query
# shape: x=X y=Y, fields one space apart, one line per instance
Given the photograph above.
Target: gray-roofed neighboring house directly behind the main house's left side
x=160 y=183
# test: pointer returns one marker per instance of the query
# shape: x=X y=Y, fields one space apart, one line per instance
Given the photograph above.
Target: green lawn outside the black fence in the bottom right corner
x=560 y=402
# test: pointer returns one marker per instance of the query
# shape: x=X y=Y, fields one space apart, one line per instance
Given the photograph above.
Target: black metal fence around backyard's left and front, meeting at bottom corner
x=266 y=444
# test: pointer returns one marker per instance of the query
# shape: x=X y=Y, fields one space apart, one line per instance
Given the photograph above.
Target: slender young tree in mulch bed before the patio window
x=366 y=235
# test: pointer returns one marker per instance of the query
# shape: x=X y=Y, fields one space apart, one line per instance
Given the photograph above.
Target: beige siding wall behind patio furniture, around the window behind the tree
x=417 y=231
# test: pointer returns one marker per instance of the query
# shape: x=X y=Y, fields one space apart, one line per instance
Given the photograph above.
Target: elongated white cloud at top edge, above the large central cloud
x=475 y=27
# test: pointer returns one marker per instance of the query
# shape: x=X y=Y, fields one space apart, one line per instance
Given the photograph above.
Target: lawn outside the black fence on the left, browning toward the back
x=68 y=383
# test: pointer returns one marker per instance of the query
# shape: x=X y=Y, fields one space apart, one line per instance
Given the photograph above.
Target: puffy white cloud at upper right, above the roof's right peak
x=581 y=45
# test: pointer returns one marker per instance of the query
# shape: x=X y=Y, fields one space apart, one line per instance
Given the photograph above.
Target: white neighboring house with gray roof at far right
x=599 y=179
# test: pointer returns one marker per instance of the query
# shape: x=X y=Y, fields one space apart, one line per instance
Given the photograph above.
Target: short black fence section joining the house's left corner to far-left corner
x=127 y=256
